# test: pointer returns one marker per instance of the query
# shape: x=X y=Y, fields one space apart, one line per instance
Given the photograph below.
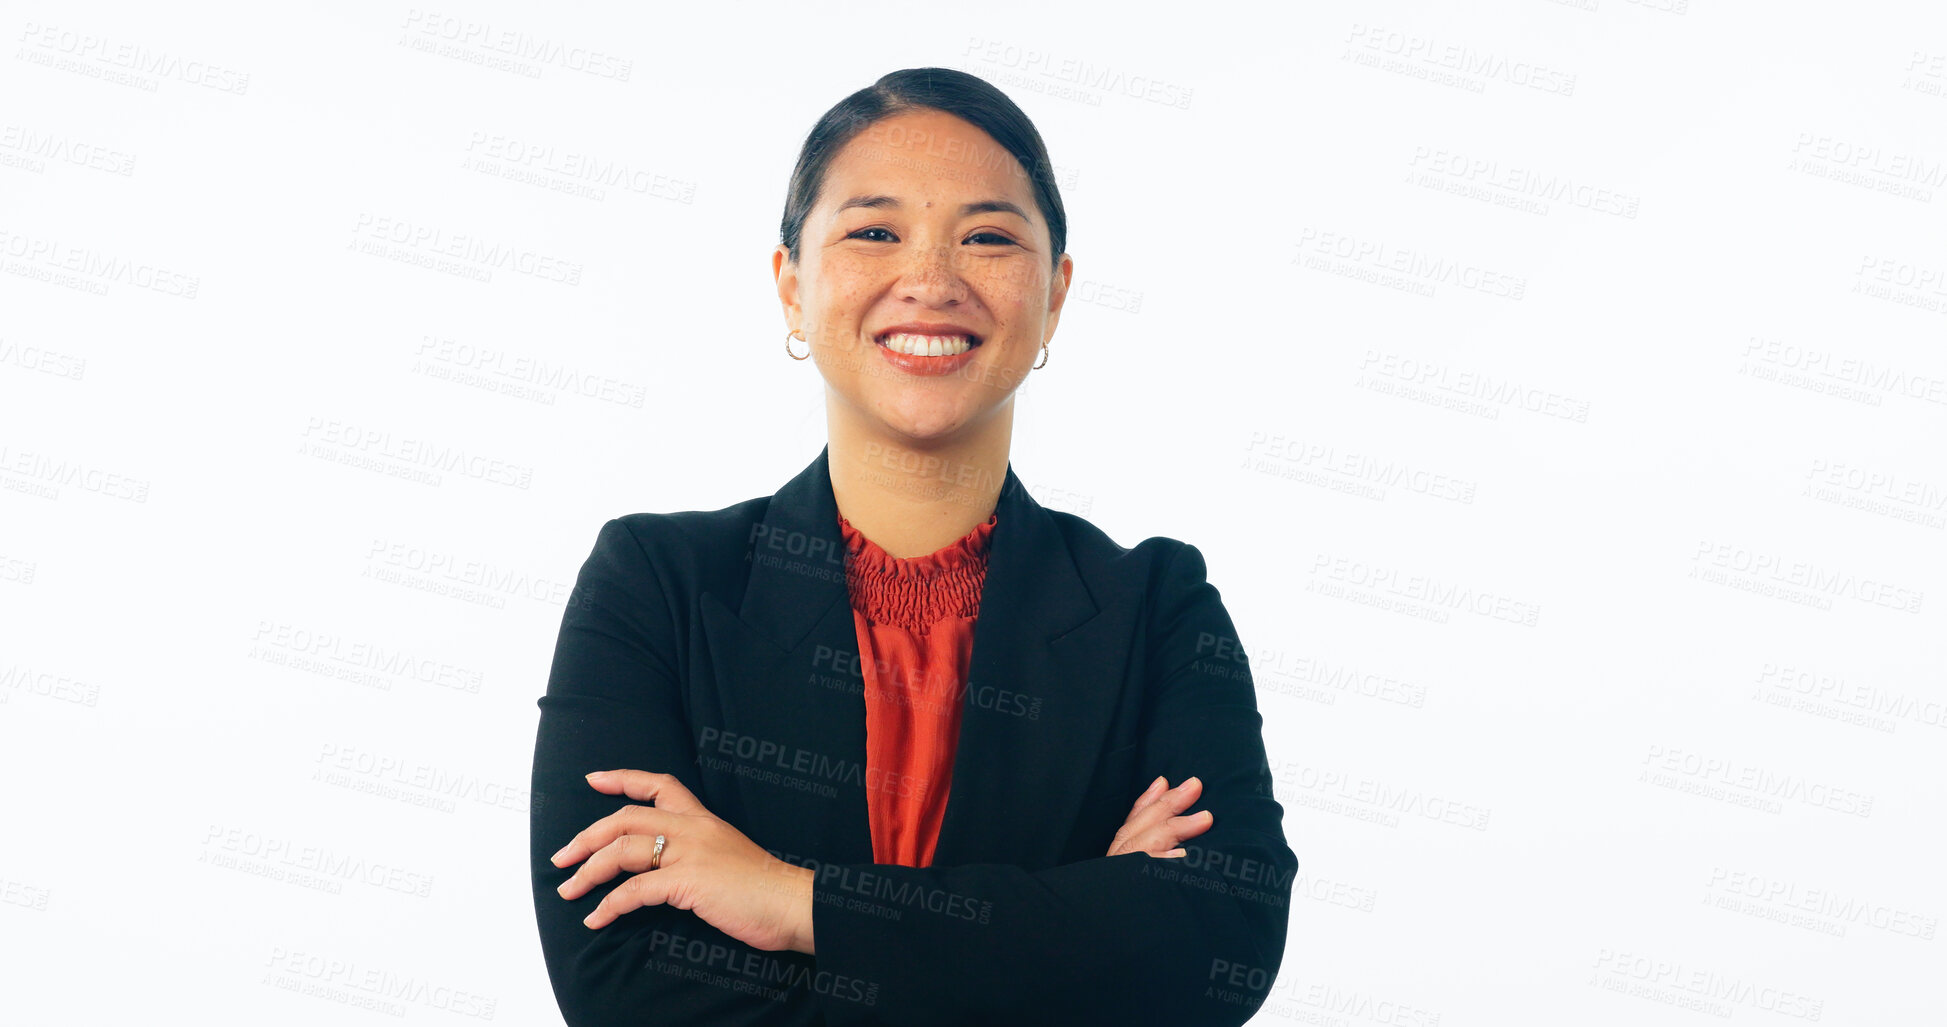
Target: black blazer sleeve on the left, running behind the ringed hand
x=612 y=703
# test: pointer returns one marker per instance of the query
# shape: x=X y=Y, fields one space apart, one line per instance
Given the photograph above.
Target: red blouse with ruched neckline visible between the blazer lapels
x=916 y=640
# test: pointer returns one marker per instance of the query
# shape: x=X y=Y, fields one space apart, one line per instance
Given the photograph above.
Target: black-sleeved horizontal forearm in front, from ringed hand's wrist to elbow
x=1109 y=940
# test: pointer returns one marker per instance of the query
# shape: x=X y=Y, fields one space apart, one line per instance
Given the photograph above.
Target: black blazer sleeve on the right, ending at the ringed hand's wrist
x=1126 y=938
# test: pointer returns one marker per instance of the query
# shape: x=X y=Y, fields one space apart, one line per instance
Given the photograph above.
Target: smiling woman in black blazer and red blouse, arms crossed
x=875 y=749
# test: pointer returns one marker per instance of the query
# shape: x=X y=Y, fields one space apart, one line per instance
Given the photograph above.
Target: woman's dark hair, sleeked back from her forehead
x=961 y=95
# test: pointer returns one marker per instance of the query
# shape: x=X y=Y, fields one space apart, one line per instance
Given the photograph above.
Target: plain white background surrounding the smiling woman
x=1557 y=393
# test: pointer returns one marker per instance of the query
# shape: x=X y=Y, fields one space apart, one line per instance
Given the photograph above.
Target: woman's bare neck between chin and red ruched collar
x=914 y=498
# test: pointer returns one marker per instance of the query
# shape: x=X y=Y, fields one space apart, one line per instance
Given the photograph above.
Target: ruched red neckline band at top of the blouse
x=918 y=591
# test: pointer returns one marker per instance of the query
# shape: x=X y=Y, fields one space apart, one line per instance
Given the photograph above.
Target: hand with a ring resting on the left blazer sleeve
x=708 y=866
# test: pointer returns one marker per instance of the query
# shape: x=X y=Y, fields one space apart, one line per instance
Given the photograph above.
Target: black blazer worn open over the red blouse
x=719 y=646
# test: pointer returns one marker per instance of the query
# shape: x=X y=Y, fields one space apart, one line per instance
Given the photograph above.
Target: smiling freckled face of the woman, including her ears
x=926 y=237
